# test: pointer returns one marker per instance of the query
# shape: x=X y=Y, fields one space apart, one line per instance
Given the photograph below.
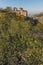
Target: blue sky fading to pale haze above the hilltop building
x=32 y=6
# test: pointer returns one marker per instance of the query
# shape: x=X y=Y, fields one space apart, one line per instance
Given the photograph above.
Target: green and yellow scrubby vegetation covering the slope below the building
x=21 y=40
